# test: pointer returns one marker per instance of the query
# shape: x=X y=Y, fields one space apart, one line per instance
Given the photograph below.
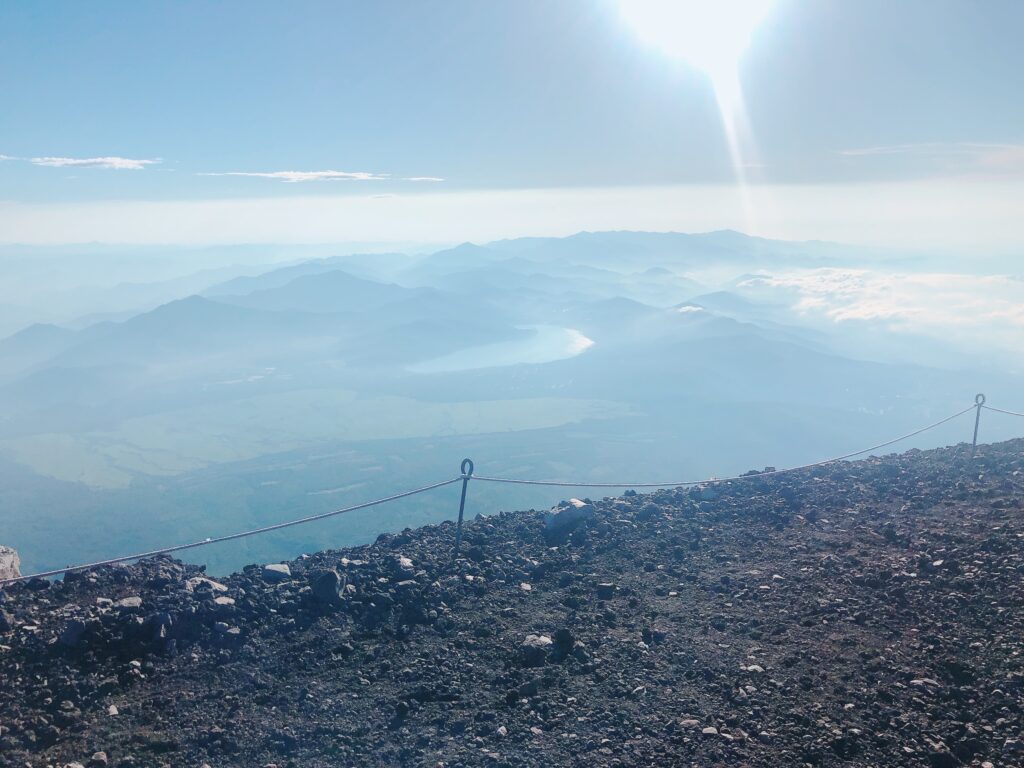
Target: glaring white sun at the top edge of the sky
x=708 y=34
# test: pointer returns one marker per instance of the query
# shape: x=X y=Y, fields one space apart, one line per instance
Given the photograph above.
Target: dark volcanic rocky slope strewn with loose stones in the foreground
x=868 y=614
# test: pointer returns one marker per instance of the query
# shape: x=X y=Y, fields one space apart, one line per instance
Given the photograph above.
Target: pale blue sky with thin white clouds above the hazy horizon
x=865 y=121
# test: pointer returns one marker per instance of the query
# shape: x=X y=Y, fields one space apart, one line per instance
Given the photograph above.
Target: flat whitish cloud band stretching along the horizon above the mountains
x=977 y=219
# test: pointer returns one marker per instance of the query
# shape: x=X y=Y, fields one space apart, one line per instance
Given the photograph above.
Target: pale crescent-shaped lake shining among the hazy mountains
x=548 y=344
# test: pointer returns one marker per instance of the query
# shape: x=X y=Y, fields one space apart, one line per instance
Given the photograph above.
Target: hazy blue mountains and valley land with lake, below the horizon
x=281 y=385
